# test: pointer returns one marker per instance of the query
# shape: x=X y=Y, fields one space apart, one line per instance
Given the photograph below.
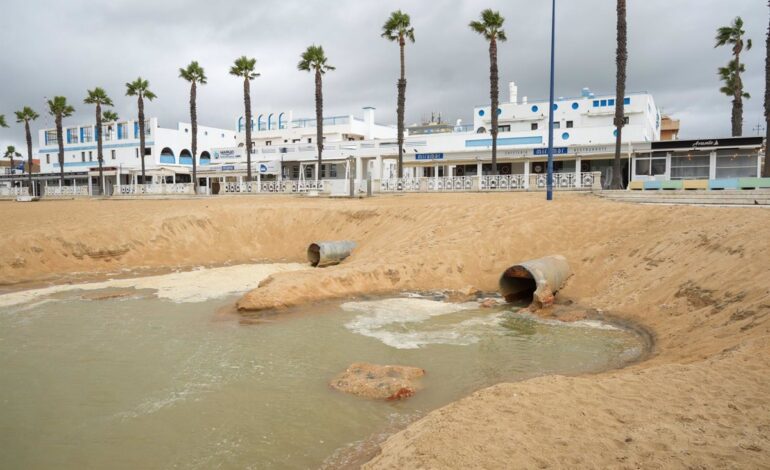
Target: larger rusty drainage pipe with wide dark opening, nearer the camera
x=536 y=280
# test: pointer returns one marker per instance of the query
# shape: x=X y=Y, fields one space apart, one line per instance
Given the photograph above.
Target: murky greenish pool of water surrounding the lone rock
x=152 y=379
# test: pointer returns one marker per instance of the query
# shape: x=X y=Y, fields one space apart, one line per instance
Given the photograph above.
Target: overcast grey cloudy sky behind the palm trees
x=56 y=47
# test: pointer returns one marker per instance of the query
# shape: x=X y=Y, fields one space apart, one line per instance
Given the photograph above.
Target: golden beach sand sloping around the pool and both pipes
x=698 y=278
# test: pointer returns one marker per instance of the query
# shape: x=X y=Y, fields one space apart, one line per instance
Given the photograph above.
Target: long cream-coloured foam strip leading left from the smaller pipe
x=197 y=285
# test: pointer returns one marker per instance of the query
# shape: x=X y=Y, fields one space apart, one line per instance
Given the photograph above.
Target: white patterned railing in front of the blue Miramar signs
x=562 y=181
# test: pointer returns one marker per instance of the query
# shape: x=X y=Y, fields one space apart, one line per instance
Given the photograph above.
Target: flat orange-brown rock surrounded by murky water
x=380 y=382
